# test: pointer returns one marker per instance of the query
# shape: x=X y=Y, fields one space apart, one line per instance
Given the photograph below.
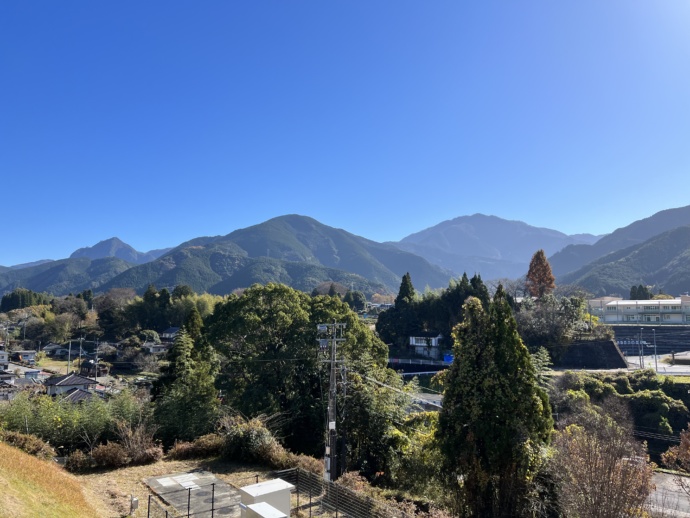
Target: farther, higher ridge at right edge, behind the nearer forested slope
x=574 y=257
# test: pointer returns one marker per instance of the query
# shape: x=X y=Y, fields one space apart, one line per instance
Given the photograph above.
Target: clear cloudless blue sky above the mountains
x=160 y=121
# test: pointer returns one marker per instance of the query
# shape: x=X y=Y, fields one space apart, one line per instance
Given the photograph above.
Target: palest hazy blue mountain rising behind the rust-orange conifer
x=488 y=245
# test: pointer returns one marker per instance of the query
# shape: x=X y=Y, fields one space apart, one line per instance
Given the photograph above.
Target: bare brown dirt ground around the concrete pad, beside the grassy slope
x=110 y=491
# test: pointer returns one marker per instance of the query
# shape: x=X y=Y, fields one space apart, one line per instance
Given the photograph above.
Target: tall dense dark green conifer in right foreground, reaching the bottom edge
x=495 y=419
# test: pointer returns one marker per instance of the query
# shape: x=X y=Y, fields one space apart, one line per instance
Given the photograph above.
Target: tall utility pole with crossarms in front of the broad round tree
x=330 y=469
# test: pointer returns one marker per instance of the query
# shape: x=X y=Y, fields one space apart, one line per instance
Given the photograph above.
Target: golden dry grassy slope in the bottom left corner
x=32 y=487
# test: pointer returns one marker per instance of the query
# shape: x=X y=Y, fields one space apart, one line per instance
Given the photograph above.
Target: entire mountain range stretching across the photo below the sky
x=301 y=252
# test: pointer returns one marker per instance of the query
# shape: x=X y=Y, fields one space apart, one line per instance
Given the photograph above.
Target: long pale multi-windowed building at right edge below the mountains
x=613 y=310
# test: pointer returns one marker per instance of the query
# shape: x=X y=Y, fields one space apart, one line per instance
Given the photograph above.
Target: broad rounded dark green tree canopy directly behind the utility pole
x=272 y=365
